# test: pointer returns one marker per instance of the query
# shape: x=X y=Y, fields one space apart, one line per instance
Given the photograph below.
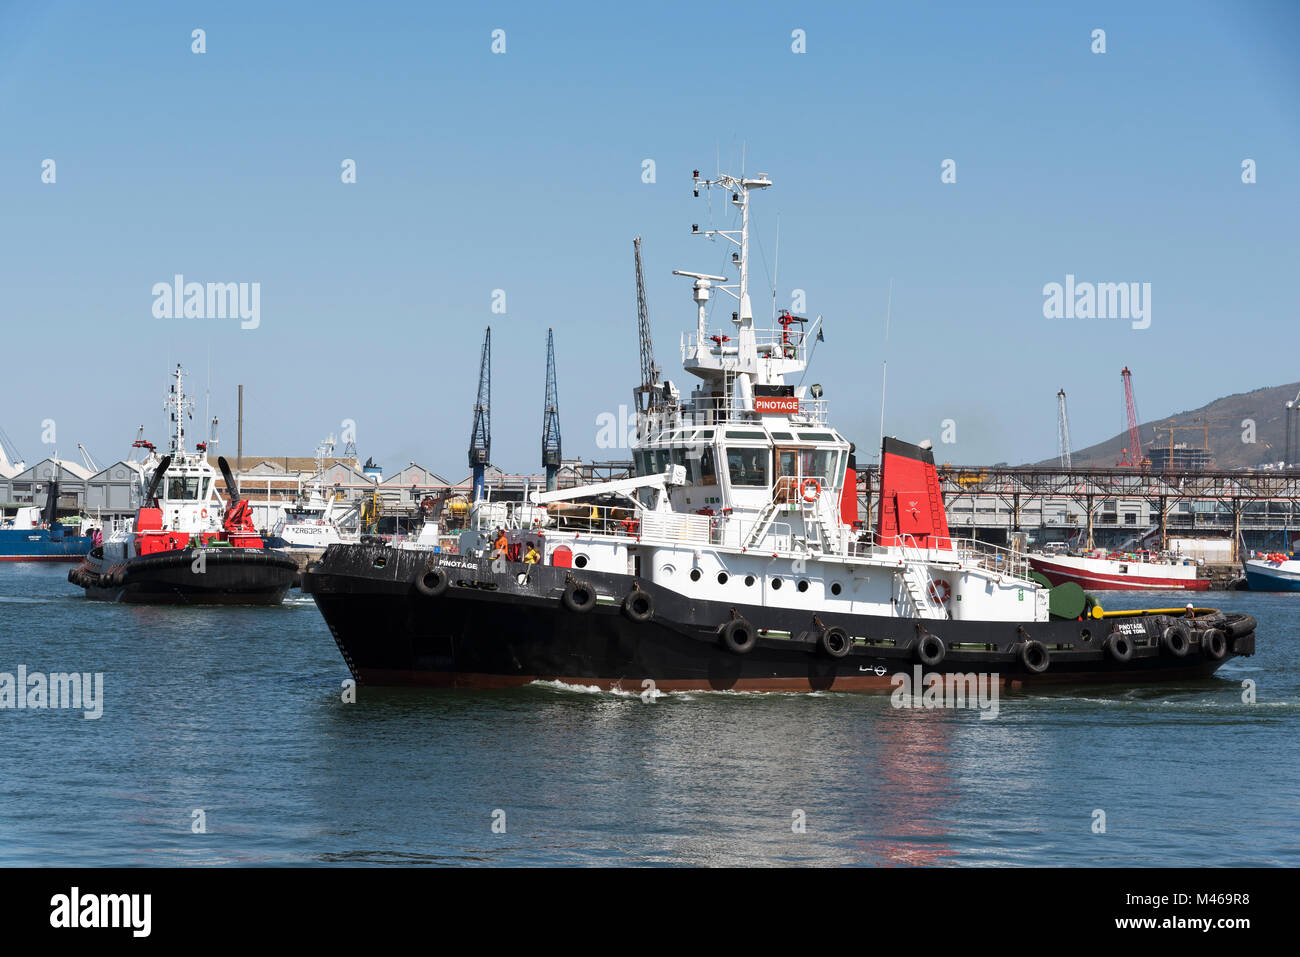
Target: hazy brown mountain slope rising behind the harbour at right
x=1267 y=408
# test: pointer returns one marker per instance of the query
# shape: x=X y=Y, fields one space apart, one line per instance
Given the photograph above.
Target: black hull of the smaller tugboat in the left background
x=229 y=577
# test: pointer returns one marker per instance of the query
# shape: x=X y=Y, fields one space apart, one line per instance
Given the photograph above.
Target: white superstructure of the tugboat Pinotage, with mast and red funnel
x=746 y=492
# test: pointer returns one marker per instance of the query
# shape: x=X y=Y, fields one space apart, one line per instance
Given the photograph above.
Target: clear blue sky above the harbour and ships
x=523 y=172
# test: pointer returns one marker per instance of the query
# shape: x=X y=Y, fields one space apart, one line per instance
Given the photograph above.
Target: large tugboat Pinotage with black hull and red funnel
x=735 y=560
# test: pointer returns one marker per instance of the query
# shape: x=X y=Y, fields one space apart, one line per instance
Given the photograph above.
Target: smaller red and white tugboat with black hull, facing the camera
x=184 y=547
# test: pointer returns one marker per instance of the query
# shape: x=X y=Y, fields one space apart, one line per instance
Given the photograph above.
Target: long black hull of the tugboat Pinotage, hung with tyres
x=488 y=630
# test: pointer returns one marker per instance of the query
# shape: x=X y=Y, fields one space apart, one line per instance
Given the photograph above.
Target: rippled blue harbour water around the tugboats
x=239 y=713
